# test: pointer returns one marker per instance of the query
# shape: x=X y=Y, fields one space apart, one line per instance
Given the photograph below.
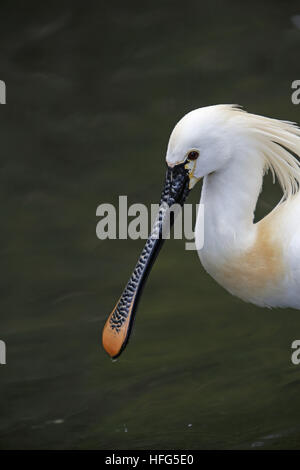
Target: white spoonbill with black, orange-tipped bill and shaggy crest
x=258 y=262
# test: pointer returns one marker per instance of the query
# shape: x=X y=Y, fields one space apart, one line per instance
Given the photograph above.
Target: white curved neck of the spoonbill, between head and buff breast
x=230 y=196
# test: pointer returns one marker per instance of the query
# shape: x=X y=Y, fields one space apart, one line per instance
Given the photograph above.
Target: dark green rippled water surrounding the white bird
x=93 y=92
